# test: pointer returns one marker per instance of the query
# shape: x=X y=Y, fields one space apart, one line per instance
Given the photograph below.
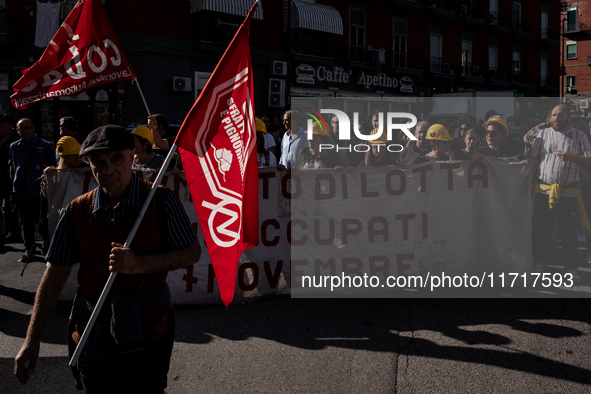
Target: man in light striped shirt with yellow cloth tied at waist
x=560 y=152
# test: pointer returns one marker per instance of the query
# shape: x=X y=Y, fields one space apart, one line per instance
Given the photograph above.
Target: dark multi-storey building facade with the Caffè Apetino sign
x=396 y=51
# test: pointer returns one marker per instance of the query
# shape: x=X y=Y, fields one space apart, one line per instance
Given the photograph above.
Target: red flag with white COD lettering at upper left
x=84 y=53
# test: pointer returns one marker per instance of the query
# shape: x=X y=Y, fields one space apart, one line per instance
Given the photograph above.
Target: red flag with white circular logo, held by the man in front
x=217 y=143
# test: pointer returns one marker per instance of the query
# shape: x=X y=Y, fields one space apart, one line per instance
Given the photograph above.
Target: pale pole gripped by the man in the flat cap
x=113 y=275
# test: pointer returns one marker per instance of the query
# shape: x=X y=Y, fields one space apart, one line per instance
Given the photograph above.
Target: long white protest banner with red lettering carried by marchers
x=456 y=217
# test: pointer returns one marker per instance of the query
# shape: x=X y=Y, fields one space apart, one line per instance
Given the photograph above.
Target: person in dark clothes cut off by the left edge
x=9 y=228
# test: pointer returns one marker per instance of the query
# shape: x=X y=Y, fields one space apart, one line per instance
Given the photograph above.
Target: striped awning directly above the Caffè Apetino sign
x=311 y=16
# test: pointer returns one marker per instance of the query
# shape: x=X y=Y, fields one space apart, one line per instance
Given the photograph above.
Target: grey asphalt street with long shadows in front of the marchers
x=285 y=345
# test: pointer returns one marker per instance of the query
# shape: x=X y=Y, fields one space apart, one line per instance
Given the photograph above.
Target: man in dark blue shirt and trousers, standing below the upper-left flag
x=29 y=156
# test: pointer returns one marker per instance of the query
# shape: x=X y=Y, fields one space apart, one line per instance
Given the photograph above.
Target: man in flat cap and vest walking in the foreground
x=131 y=343
